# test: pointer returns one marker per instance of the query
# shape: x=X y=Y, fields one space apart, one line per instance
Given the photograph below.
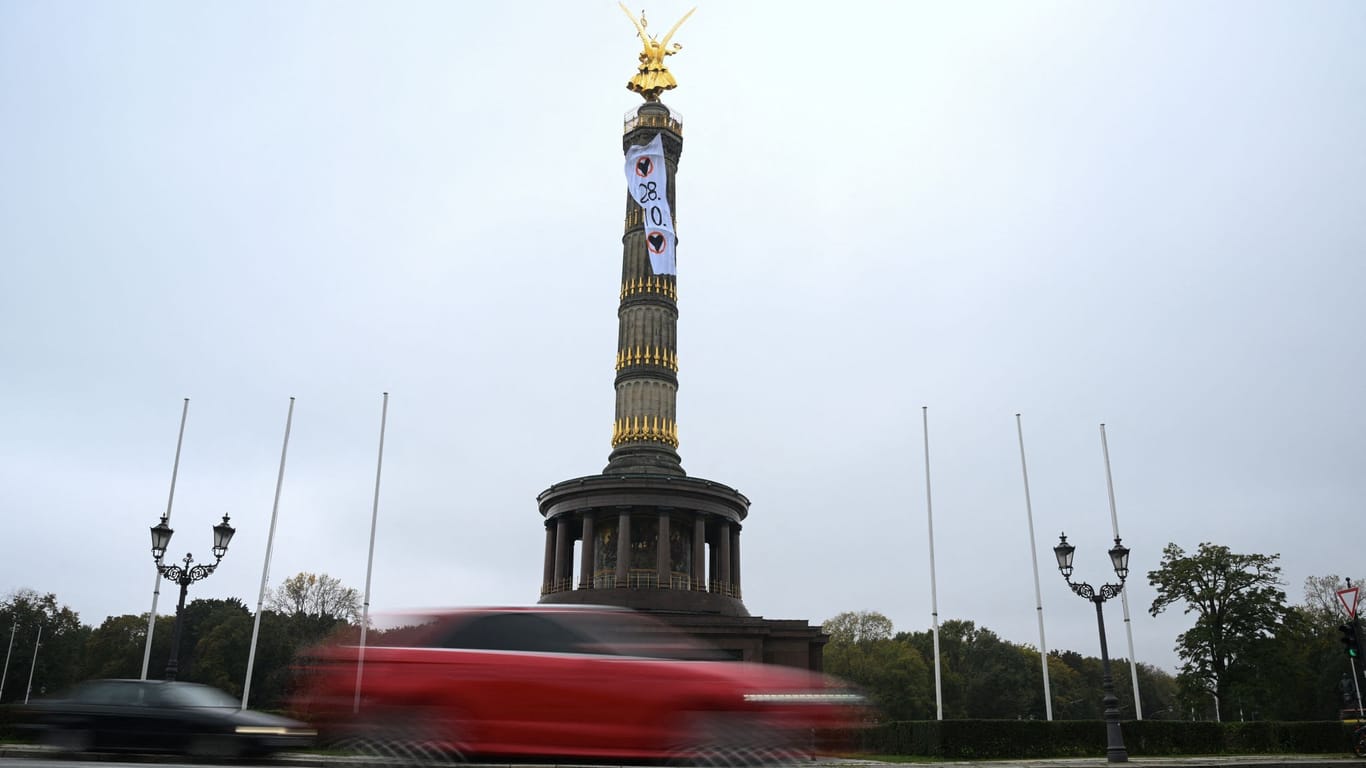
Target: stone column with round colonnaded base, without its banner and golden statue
x=643 y=534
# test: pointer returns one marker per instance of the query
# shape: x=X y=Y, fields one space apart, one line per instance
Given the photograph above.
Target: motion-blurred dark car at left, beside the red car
x=159 y=717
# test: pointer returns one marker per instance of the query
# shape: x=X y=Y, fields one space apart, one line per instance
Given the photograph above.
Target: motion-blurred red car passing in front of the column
x=563 y=683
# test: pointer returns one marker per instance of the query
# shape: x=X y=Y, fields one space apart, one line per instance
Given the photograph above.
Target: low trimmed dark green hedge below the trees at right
x=994 y=740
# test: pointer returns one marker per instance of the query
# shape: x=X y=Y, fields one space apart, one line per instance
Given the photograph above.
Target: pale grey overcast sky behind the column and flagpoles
x=1148 y=215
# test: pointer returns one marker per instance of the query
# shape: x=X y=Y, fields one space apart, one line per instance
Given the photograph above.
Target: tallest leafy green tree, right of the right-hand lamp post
x=1238 y=603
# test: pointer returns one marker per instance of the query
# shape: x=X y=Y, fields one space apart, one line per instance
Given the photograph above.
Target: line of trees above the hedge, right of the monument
x=1248 y=657
